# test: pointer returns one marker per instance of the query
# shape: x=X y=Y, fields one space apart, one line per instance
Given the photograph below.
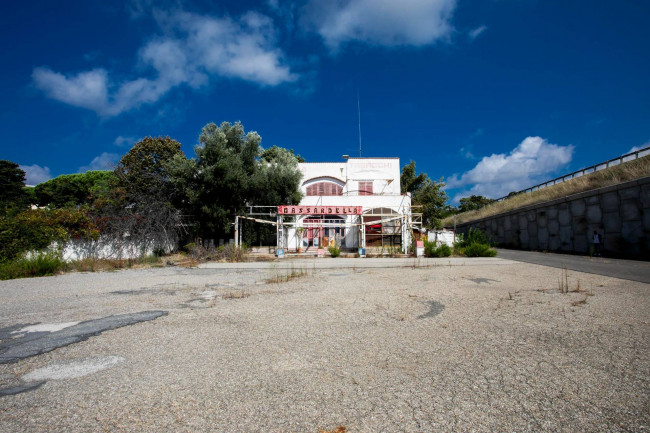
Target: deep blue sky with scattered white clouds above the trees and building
x=492 y=95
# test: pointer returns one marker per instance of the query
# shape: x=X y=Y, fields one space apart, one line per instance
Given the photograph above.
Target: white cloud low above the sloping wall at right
x=531 y=162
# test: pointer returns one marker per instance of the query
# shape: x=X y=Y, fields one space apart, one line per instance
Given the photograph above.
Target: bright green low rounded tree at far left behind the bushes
x=73 y=189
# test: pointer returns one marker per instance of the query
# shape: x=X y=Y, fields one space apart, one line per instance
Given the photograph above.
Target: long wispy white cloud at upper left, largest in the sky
x=193 y=49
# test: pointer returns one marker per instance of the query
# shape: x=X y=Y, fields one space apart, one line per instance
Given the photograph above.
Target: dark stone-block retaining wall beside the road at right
x=619 y=213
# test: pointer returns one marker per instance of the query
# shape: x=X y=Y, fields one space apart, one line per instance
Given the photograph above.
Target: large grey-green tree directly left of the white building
x=232 y=172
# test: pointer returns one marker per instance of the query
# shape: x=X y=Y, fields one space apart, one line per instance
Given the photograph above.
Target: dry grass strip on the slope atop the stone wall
x=625 y=172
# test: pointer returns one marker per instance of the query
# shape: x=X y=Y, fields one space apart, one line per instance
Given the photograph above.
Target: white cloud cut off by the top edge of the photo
x=381 y=22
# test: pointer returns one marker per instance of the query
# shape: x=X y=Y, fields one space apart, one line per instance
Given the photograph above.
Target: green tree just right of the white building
x=426 y=193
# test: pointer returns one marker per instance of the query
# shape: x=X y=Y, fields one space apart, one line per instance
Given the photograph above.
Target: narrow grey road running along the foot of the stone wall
x=626 y=269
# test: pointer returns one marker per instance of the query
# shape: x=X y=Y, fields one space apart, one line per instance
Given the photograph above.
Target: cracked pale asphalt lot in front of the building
x=447 y=345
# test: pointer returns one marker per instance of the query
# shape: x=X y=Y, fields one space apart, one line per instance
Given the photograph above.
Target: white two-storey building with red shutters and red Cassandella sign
x=356 y=203
